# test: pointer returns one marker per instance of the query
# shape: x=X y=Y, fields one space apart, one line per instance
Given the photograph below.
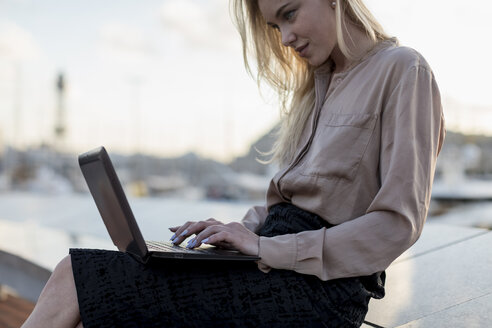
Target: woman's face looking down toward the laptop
x=308 y=26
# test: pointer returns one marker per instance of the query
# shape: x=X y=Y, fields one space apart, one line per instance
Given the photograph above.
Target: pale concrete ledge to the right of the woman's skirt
x=442 y=281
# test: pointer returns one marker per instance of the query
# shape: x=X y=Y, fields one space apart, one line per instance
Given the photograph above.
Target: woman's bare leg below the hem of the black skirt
x=57 y=305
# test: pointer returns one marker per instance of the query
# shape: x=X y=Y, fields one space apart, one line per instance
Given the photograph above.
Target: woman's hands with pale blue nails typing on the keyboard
x=232 y=235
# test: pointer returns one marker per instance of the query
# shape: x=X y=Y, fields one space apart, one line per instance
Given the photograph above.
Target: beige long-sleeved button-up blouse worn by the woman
x=365 y=163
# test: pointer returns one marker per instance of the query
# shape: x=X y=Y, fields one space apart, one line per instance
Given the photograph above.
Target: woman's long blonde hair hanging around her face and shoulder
x=289 y=75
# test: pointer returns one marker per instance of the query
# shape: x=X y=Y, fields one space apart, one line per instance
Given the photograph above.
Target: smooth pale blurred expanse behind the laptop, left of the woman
x=41 y=228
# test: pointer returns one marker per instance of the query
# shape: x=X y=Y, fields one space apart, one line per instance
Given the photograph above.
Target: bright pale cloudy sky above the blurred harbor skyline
x=166 y=77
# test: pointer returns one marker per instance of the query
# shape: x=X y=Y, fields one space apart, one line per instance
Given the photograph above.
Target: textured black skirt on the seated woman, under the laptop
x=114 y=290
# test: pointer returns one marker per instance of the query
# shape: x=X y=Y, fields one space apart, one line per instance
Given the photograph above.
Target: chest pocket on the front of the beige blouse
x=338 y=146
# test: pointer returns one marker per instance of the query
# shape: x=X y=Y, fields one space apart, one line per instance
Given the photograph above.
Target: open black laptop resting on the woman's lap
x=123 y=229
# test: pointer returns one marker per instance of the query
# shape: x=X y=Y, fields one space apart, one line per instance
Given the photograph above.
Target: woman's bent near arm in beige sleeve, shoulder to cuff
x=412 y=132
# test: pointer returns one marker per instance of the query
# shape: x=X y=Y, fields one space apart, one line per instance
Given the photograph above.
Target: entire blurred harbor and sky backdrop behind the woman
x=161 y=84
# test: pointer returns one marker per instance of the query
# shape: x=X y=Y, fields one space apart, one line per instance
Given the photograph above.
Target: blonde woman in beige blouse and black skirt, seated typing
x=361 y=131
